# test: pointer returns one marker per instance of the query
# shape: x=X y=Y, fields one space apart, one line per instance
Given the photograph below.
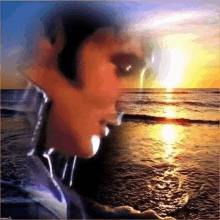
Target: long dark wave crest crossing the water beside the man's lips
x=157 y=119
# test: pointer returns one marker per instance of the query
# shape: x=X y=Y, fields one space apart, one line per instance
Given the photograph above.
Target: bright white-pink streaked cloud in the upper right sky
x=177 y=18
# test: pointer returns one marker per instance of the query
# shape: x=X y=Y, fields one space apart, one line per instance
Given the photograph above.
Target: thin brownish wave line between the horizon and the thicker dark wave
x=200 y=104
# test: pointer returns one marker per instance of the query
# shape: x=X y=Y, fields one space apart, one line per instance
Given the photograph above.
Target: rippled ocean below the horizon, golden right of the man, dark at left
x=164 y=156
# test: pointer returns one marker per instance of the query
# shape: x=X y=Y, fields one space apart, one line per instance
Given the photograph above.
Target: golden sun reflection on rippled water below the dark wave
x=157 y=147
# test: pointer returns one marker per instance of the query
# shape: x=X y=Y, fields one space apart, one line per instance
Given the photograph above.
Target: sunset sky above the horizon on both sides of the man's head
x=186 y=34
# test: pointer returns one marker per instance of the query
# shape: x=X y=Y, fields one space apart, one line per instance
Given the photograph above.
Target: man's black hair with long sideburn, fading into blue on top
x=77 y=21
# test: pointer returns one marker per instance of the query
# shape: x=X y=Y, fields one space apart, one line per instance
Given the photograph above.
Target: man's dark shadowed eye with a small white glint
x=127 y=64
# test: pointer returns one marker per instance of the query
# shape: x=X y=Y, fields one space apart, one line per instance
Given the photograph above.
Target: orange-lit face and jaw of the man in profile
x=80 y=116
